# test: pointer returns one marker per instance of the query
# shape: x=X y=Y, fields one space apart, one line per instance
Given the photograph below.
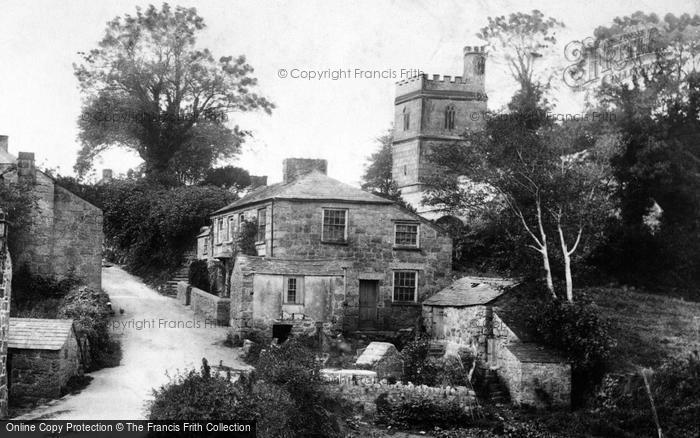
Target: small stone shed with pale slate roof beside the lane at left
x=43 y=354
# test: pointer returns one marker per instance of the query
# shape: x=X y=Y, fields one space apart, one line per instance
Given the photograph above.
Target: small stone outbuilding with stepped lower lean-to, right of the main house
x=472 y=313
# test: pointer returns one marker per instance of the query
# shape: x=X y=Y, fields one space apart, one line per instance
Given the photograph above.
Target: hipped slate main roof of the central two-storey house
x=312 y=186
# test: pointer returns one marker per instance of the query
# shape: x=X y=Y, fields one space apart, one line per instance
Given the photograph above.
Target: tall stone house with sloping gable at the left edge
x=65 y=234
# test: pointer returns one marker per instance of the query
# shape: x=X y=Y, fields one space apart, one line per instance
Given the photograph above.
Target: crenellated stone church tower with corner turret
x=434 y=111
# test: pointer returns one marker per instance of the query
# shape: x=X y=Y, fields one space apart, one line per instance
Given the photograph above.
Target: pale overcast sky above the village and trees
x=337 y=120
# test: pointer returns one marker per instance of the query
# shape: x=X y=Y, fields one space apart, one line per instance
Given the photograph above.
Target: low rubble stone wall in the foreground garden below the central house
x=366 y=393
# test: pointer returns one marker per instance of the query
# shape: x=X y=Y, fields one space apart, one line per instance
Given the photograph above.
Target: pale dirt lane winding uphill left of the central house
x=158 y=335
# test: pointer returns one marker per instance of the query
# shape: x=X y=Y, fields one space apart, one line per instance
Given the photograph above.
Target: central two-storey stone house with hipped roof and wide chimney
x=328 y=254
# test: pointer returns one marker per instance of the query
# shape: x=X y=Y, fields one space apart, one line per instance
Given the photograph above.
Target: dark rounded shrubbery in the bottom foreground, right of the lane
x=284 y=395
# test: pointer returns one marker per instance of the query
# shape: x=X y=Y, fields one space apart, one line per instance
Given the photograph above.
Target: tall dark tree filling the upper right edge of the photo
x=656 y=109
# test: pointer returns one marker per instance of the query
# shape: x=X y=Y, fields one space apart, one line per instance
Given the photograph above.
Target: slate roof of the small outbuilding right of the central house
x=470 y=291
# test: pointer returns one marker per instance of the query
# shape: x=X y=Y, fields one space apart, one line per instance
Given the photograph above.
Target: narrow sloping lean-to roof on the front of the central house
x=263 y=265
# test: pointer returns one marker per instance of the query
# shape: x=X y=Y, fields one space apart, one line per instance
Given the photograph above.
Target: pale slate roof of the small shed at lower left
x=39 y=334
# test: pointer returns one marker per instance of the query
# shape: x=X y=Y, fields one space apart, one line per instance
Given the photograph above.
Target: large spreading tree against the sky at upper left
x=147 y=87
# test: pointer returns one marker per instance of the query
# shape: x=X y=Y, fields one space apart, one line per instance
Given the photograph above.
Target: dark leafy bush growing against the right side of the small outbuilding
x=577 y=330
